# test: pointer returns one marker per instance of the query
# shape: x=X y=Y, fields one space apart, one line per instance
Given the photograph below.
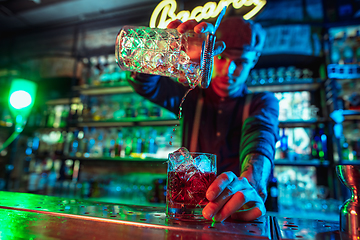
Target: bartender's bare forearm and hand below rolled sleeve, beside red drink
x=234 y=196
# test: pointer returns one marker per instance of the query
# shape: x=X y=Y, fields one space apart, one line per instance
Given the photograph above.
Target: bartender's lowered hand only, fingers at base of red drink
x=233 y=196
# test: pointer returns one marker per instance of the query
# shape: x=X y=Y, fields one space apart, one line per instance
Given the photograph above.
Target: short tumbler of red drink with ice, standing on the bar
x=188 y=177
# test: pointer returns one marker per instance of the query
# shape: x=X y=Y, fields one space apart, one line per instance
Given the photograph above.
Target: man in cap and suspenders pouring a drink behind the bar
x=226 y=119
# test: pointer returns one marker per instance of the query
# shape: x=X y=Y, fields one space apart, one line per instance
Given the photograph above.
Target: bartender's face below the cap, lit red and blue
x=231 y=70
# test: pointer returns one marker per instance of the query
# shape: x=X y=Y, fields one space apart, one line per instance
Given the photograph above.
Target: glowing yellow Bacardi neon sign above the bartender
x=166 y=11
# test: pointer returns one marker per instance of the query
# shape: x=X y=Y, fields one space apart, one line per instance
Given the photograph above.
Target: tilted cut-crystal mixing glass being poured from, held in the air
x=163 y=52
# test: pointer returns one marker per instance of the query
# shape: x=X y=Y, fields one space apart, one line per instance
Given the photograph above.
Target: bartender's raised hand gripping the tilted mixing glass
x=202 y=27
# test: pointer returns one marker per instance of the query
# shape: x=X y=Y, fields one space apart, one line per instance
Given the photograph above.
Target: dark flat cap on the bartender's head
x=238 y=33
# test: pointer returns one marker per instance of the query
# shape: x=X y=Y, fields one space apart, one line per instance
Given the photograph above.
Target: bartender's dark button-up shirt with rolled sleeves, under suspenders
x=221 y=131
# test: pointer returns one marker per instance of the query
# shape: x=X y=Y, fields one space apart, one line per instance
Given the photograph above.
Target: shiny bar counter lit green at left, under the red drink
x=31 y=216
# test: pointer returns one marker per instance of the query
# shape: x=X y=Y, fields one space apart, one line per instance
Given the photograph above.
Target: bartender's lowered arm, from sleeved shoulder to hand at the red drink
x=243 y=197
